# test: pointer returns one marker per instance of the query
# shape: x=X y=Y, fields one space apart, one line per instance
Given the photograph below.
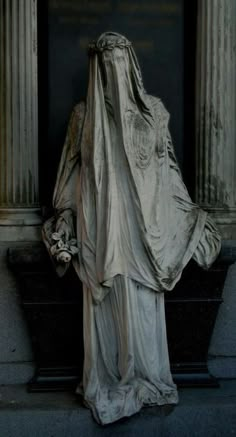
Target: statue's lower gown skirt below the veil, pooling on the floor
x=126 y=361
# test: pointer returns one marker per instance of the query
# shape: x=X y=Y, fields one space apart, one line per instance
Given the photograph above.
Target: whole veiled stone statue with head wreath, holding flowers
x=124 y=218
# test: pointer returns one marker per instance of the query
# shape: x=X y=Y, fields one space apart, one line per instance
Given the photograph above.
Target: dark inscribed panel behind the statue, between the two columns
x=157 y=29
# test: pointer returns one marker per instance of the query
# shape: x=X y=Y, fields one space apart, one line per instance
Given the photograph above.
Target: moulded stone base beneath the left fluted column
x=20 y=224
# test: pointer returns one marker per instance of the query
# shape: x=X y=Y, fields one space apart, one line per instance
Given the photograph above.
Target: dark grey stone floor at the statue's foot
x=200 y=413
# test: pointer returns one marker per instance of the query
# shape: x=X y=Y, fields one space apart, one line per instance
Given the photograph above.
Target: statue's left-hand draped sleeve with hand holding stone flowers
x=58 y=232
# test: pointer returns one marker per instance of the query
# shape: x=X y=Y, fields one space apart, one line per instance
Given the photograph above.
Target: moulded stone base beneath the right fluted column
x=225 y=220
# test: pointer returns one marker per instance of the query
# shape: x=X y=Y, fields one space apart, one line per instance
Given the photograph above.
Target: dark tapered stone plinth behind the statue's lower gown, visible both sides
x=54 y=310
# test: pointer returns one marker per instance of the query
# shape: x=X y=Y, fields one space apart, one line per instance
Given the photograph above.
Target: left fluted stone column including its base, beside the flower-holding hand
x=19 y=203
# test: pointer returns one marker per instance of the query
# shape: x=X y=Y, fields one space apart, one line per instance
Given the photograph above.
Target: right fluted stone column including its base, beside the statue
x=216 y=112
